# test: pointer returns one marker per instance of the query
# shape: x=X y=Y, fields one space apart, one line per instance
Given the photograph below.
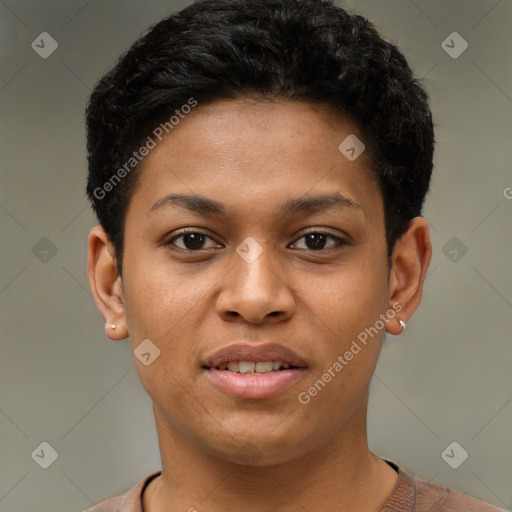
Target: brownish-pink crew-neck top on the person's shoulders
x=409 y=495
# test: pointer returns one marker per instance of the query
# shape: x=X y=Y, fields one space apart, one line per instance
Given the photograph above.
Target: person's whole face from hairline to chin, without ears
x=282 y=261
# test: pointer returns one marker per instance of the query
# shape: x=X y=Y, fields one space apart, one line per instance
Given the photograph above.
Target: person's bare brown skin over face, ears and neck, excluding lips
x=221 y=453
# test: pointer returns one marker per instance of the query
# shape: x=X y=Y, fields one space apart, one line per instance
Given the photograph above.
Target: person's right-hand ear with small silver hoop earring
x=409 y=264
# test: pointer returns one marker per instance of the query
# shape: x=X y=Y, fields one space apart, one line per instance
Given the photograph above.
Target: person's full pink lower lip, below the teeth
x=254 y=386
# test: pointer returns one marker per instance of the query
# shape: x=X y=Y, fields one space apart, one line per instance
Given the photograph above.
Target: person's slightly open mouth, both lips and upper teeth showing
x=254 y=372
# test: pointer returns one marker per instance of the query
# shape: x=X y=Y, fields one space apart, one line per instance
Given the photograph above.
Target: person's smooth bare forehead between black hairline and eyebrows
x=257 y=152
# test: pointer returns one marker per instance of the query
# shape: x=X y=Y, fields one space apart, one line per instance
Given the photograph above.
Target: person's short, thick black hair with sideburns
x=298 y=50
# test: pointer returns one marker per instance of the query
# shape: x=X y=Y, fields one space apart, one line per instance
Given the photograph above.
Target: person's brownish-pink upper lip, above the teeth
x=256 y=353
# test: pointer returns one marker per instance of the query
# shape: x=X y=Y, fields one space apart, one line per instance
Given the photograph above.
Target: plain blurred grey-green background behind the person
x=446 y=379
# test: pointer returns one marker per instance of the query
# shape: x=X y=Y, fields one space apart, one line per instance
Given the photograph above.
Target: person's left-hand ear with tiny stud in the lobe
x=105 y=283
